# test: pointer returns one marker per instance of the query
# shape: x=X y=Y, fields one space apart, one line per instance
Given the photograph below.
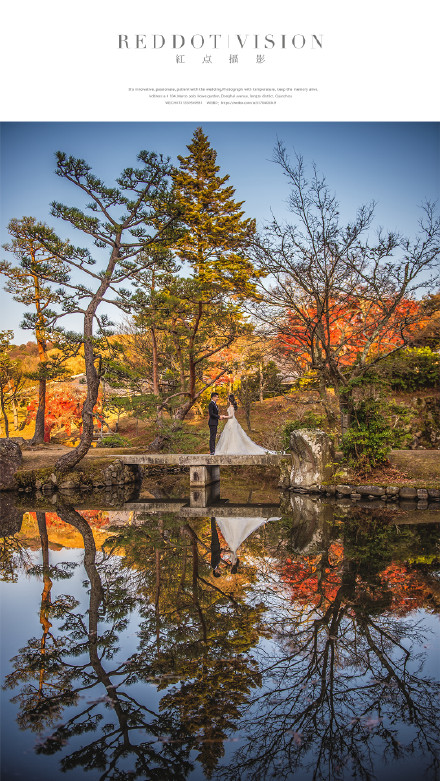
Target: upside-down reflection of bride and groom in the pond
x=234 y=530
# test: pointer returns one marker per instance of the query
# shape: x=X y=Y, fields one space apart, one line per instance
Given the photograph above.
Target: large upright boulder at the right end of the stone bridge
x=313 y=456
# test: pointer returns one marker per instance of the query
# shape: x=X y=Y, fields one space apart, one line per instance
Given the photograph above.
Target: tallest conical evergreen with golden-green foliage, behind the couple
x=203 y=308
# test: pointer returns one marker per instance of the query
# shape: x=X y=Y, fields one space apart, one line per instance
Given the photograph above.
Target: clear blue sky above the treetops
x=396 y=164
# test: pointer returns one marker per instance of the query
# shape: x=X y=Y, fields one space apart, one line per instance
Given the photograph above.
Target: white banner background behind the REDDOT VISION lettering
x=61 y=62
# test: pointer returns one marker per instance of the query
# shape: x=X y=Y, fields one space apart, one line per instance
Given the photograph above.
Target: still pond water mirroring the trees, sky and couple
x=314 y=656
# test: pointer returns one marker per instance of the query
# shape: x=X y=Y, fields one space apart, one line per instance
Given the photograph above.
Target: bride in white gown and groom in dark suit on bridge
x=233 y=440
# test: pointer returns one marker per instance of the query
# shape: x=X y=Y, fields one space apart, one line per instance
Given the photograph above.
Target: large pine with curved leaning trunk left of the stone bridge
x=126 y=223
